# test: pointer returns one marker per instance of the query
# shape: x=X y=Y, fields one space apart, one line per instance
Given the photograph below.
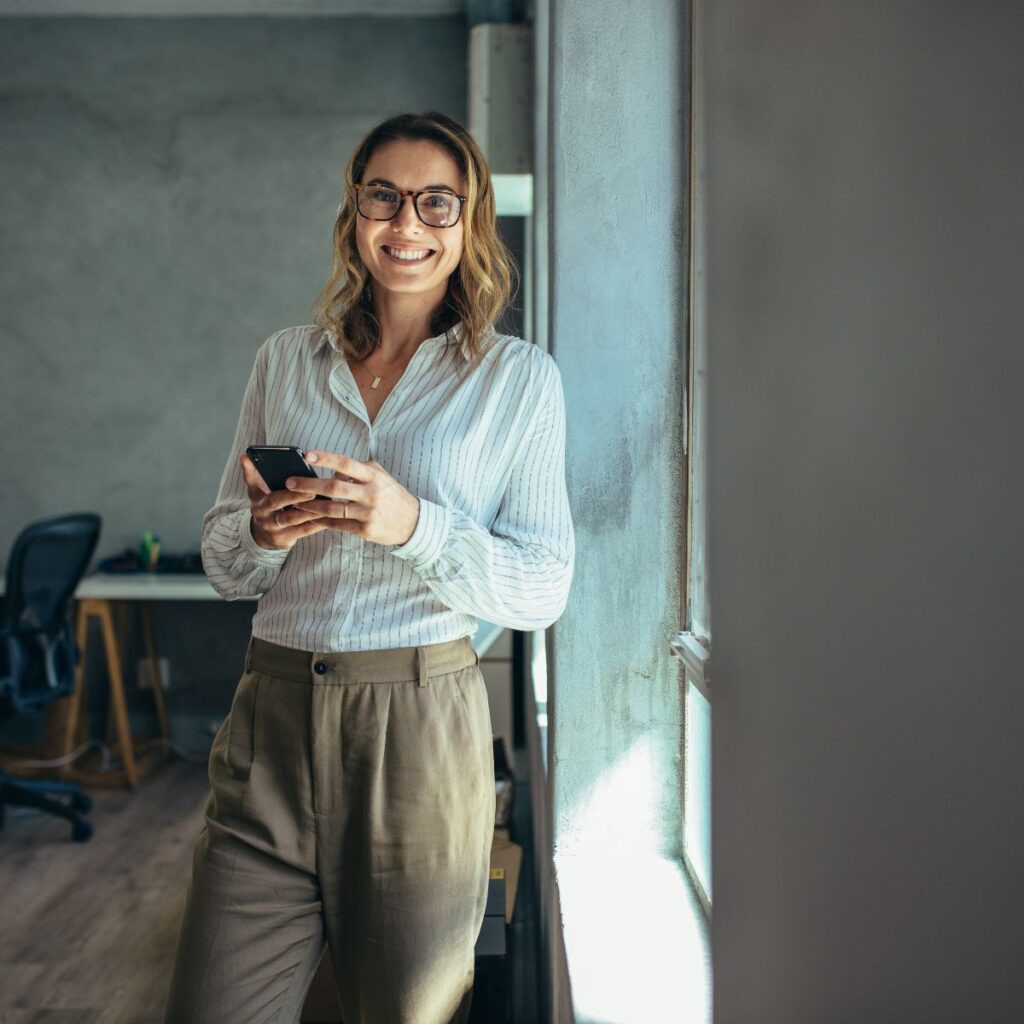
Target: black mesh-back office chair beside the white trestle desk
x=38 y=654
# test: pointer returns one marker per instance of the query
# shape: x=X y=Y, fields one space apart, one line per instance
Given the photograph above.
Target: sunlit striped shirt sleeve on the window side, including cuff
x=518 y=574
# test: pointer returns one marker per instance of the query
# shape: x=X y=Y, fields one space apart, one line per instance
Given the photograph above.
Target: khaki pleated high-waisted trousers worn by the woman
x=352 y=803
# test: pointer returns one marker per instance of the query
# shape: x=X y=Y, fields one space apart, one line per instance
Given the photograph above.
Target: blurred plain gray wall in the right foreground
x=866 y=225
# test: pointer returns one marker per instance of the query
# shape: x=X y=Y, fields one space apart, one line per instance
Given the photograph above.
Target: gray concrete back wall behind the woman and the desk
x=169 y=189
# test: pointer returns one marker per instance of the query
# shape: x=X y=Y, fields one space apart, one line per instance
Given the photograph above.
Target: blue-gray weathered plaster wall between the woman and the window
x=617 y=284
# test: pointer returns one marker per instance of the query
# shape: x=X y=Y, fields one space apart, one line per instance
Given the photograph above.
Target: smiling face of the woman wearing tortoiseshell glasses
x=416 y=165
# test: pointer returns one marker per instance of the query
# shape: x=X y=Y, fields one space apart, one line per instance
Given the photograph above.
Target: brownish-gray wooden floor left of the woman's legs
x=90 y=929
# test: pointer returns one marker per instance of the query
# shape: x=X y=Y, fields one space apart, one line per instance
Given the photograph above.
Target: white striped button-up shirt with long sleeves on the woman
x=486 y=455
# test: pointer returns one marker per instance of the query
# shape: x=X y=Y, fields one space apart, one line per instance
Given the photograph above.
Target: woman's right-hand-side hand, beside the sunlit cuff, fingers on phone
x=378 y=509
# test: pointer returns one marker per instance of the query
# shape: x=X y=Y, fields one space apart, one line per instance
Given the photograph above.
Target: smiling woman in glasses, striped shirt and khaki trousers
x=352 y=786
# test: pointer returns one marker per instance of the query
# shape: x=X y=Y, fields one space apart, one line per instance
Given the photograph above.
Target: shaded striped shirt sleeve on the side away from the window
x=235 y=564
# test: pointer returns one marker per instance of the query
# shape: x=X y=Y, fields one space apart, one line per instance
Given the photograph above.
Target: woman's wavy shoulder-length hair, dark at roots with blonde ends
x=482 y=286
